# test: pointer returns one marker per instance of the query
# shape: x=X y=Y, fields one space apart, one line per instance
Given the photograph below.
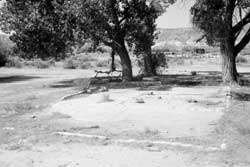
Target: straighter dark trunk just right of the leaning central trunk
x=149 y=67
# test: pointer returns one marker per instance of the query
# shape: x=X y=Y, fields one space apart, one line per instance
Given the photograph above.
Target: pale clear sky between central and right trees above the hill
x=177 y=15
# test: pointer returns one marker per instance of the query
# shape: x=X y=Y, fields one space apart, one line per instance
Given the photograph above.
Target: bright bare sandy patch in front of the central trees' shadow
x=173 y=113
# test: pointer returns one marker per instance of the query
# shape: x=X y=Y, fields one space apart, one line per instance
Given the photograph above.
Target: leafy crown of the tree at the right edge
x=223 y=19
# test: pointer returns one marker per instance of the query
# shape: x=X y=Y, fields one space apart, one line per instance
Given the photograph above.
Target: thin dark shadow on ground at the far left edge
x=16 y=78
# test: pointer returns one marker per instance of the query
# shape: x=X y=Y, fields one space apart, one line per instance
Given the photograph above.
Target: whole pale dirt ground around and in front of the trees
x=178 y=120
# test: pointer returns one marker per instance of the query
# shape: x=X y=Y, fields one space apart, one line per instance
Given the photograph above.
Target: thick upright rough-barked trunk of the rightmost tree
x=229 y=71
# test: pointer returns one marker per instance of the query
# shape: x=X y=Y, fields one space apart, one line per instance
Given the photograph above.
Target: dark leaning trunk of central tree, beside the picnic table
x=127 y=74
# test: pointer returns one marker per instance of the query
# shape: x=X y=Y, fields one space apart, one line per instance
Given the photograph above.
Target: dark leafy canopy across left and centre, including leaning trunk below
x=44 y=28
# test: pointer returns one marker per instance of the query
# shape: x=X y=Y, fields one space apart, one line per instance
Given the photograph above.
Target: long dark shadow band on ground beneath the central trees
x=161 y=82
